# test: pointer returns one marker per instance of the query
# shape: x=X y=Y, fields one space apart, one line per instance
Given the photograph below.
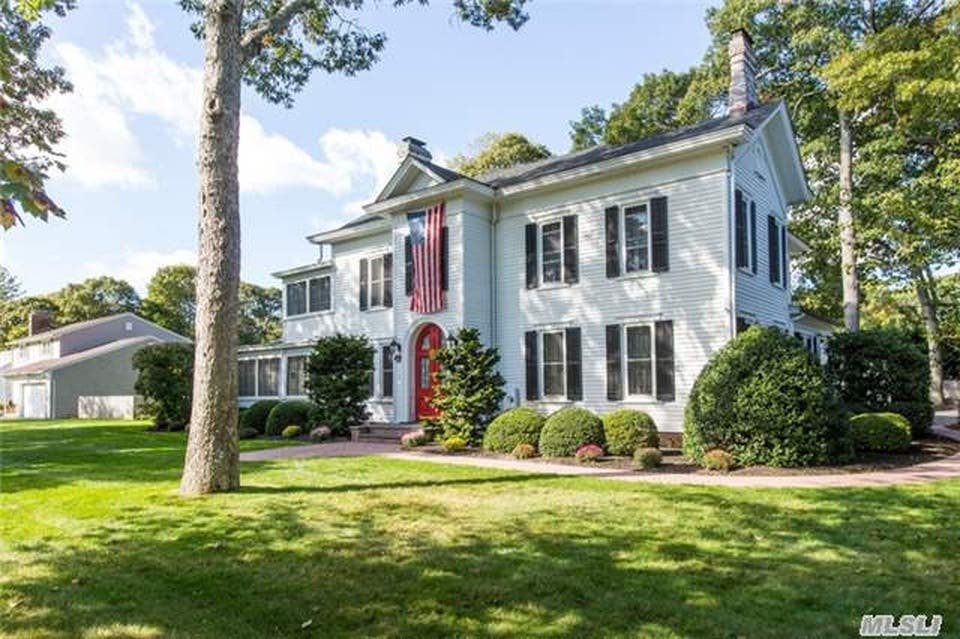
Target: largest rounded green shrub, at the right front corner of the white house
x=766 y=402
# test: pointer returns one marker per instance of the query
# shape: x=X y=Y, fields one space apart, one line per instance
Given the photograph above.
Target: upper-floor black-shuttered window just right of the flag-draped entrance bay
x=552 y=249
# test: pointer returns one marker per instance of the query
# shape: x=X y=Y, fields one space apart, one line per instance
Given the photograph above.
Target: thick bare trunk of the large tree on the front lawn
x=212 y=461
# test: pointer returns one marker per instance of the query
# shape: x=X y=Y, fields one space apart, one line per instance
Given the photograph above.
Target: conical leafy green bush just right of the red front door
x=469 y=387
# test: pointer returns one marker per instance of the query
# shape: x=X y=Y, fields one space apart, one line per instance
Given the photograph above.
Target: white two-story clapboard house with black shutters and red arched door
x=606 y=278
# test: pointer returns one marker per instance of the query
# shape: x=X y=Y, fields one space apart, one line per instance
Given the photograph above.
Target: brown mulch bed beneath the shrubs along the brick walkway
x=924 y=450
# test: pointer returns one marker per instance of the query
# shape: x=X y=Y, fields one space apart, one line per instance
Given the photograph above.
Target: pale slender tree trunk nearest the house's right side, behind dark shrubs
x=848 y=238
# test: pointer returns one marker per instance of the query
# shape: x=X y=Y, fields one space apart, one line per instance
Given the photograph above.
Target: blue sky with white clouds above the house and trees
x=130 y=189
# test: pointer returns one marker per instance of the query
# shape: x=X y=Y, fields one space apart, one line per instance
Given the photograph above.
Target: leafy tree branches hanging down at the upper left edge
x=28 y=131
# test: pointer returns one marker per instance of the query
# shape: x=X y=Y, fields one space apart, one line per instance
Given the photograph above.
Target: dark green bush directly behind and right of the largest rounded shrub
x=874 y=369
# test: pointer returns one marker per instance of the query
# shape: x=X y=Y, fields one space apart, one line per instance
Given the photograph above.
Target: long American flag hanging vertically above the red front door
x=426 y=228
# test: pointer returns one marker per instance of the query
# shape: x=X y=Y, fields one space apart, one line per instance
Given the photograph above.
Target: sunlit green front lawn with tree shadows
x=95 y=542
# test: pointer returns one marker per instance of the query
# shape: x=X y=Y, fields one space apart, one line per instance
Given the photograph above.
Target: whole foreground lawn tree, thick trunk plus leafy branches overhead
x=272 y=46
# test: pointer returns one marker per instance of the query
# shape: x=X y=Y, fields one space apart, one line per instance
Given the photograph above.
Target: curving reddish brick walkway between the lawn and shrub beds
x=921 y=473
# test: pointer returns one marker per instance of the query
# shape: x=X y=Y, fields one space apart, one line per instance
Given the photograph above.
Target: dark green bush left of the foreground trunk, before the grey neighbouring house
x=165 y=380
